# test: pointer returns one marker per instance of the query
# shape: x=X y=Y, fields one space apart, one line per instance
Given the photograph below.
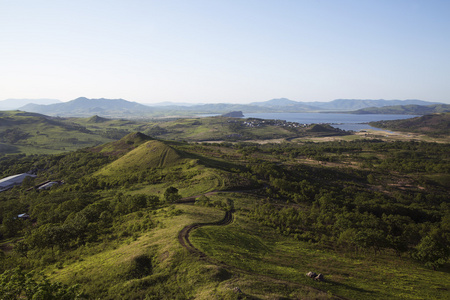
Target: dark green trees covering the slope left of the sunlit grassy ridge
x=66 y=217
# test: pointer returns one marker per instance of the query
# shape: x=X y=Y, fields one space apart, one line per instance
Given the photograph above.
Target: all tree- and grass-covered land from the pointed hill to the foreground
x=111 y=227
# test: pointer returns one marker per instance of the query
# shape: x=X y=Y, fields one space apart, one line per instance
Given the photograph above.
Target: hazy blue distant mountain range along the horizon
x=120 y=108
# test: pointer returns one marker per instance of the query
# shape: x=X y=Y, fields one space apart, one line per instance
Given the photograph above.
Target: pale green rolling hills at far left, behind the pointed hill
x=33 y=133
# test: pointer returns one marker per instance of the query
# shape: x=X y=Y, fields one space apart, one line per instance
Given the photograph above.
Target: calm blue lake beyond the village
x=343 y=121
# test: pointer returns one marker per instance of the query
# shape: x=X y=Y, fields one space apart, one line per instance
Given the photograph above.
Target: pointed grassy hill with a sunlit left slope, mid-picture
x=153 y=165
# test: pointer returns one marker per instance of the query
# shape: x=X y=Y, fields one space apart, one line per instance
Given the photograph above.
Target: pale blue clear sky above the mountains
x=233 y=51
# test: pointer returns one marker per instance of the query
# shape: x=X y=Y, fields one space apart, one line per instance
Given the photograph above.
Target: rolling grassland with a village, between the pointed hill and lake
x=32 y=133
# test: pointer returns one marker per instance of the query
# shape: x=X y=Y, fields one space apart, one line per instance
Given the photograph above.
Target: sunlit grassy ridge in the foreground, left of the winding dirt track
x=174 y=273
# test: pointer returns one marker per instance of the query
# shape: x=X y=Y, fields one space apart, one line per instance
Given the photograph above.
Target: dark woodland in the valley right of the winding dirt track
x=356 y=209
